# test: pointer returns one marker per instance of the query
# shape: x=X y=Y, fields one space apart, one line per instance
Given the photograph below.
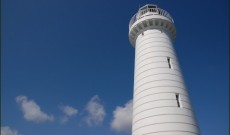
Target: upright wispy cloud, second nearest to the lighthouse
x=96 y=112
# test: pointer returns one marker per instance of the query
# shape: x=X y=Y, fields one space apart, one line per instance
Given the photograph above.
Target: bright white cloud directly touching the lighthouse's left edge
x=122 y=118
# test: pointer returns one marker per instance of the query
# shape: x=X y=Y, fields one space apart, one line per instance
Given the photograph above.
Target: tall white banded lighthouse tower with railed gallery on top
x=161 y=104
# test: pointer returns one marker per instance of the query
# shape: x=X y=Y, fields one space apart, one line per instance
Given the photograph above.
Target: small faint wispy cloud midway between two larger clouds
x=68 y=112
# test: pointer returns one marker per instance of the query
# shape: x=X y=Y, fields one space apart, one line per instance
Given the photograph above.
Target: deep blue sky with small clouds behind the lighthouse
x=67 y=59
